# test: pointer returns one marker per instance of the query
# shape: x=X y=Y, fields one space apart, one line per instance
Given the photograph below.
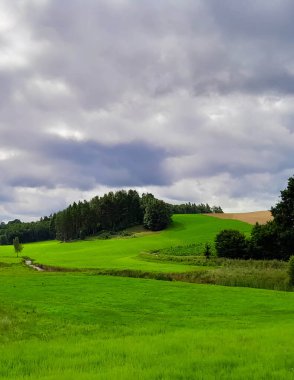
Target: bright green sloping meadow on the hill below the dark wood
x=123 y=253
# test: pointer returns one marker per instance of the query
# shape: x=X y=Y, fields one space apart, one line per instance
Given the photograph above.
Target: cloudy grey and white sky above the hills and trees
x=190 y=100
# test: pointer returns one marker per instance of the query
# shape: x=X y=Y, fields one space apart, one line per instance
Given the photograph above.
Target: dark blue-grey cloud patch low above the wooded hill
x=133 y=164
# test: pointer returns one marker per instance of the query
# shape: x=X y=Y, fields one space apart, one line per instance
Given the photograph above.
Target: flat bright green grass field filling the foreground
x=77 y=326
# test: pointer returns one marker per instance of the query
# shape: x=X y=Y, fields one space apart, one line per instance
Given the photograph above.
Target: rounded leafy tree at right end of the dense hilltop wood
x=157 y=215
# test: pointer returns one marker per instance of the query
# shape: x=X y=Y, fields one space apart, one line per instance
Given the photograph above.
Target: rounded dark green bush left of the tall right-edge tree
x=231 y=244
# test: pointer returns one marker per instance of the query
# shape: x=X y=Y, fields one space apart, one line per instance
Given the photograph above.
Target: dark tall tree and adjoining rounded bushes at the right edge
x=273 y=240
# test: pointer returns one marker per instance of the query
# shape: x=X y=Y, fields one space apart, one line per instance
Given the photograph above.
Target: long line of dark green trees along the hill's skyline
x=113 y=211
